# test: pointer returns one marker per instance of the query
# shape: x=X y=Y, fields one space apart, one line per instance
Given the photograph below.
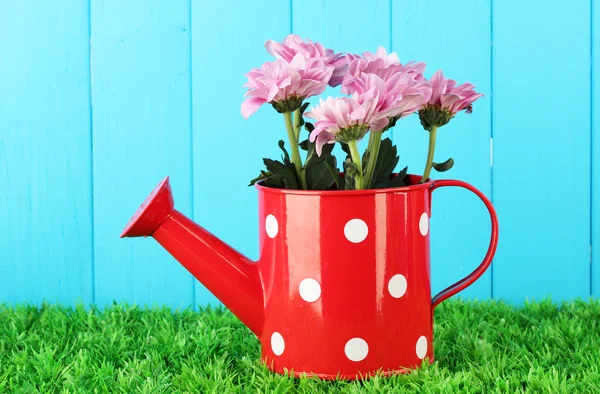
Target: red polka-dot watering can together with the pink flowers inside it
x=342 y=285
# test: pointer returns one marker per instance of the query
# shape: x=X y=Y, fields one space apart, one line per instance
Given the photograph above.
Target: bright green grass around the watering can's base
x=480 y=347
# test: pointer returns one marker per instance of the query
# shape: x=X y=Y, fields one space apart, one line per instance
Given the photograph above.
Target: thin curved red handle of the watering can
x=473 y=276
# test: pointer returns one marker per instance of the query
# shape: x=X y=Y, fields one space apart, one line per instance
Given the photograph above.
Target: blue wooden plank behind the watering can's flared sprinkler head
x=141 y=122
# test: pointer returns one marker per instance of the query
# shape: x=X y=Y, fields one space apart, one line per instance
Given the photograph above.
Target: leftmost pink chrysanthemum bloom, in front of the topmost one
x=285 y=84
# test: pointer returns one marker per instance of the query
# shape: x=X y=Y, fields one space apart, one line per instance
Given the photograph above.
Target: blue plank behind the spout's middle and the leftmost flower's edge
x=227 y=42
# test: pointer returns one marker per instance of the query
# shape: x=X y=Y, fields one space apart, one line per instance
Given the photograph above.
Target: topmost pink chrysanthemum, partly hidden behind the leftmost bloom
x=293 y=44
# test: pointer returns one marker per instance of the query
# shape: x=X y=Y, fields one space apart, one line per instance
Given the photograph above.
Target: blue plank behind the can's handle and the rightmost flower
x=453 y=37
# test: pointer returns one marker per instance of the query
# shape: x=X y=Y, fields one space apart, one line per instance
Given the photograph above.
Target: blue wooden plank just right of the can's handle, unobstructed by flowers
x=542 y=148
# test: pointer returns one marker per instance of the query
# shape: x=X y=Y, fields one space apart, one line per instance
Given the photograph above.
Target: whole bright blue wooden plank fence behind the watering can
x=99 y=101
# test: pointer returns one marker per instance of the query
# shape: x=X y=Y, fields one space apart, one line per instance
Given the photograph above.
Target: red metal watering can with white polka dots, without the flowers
x=342 y=286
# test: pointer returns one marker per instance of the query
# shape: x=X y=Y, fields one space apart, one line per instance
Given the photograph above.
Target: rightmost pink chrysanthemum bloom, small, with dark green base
x=447 y=99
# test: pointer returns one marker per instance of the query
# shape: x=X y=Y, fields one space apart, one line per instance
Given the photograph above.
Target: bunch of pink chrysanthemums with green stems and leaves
x=378 y=92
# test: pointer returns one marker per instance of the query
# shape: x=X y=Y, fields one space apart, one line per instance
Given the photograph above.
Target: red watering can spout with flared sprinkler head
x=229 y=275
